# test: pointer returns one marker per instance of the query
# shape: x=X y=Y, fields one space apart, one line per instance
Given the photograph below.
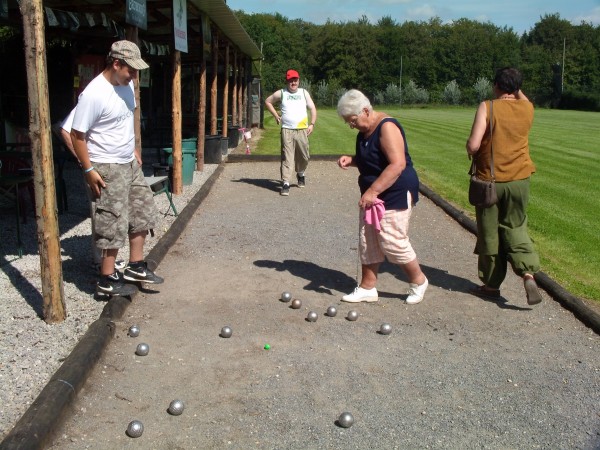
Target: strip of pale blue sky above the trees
x=521 y=15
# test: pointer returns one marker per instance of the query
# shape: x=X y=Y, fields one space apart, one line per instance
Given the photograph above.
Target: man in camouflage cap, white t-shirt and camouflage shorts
x=104 y=140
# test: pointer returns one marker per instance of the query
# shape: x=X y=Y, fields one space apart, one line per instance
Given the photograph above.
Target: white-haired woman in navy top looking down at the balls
x=389 y=188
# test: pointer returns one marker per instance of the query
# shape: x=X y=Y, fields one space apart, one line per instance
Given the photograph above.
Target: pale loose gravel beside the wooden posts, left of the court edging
x=30 y=349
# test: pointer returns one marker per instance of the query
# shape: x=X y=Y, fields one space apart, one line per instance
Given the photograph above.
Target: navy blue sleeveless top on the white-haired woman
x=371 y=161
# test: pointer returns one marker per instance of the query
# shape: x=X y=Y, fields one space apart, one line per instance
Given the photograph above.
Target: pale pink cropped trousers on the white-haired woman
x=391 y=242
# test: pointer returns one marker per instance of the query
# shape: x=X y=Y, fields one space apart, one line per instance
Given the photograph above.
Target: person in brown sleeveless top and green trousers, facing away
x=502 y=235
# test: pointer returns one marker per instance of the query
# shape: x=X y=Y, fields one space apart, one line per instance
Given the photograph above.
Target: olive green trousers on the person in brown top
x=502 y=235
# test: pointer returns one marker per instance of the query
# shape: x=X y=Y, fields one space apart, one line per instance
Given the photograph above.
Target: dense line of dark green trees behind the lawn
x=424 y=62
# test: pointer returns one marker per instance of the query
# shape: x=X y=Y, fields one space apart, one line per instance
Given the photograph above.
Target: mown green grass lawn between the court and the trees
x=564 y=207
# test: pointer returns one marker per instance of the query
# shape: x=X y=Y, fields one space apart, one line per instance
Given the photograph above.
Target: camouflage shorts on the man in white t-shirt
x=126 y=205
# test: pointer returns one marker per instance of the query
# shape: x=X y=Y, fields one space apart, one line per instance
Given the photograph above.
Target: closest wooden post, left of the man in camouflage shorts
x=46 y=214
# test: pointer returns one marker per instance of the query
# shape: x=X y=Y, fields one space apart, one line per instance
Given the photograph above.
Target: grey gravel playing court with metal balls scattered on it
x=456 y=372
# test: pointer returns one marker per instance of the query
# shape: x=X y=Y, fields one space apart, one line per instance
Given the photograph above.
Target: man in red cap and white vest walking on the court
x=295 y=128
